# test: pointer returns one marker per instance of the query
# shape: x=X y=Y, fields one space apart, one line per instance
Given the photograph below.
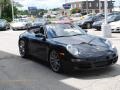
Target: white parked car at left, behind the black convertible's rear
x=20 y=24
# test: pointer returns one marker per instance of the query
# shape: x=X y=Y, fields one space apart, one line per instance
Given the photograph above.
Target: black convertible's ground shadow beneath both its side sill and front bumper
x=110 y=71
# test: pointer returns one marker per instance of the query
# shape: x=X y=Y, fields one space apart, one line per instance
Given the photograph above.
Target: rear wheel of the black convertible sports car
x=23 y=49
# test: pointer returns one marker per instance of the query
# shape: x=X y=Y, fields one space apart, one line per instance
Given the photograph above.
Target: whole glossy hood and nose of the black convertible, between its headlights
x=89 y=46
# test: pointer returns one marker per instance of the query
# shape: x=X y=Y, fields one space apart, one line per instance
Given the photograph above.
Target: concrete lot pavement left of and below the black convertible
x=17 y=73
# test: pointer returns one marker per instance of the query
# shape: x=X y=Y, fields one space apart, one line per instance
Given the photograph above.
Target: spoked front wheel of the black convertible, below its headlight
x=55 y=62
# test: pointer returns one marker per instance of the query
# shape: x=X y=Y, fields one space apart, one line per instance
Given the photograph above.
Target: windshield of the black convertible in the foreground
x=63 y=30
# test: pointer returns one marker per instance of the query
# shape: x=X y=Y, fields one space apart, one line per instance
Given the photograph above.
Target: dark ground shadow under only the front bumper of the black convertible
x=108 y=72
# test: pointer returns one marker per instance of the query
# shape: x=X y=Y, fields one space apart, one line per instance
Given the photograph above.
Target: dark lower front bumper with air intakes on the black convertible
x=94 y=63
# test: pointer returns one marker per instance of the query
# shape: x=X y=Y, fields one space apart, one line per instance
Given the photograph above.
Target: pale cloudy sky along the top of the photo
x=48 y=3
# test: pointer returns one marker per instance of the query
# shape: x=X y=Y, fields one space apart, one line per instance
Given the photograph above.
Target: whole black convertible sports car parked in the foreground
x=64 y=45
